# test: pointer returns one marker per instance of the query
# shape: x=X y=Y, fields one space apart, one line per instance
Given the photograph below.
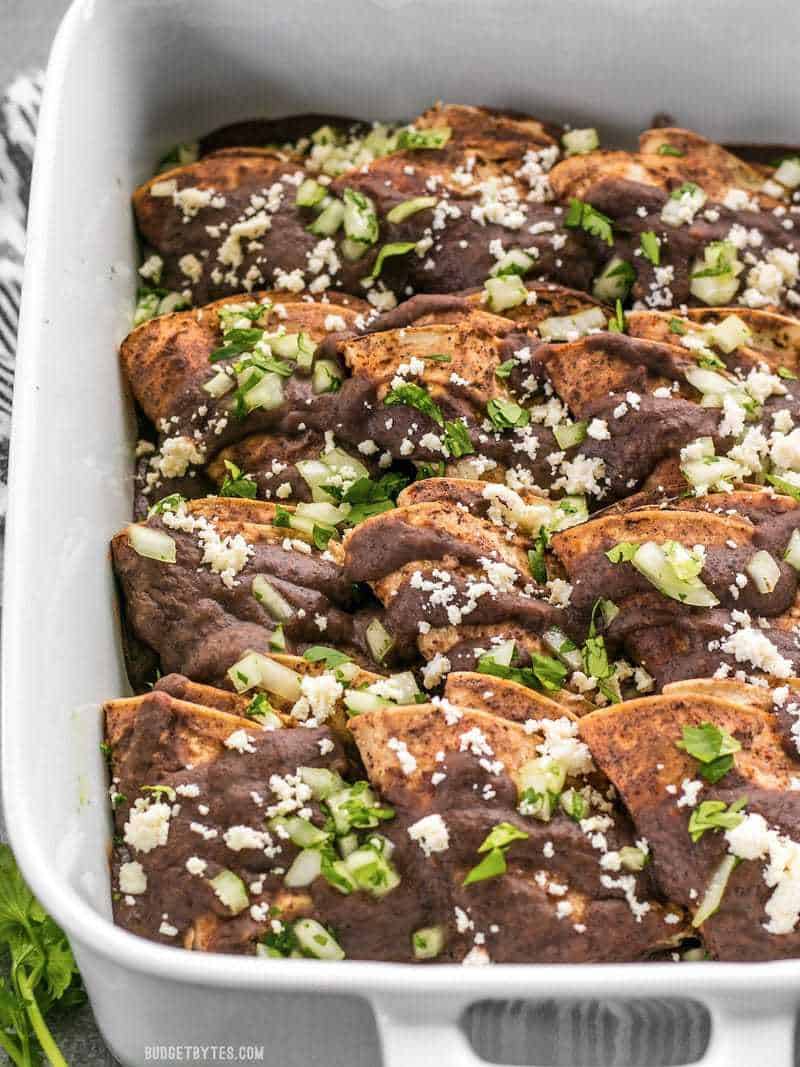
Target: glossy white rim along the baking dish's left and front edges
x=775 y=983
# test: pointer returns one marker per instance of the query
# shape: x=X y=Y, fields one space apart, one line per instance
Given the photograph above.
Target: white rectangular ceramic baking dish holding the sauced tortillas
x=126 y=81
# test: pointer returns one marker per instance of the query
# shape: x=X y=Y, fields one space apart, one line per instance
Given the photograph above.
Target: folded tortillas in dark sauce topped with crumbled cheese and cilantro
x=461 y=588
